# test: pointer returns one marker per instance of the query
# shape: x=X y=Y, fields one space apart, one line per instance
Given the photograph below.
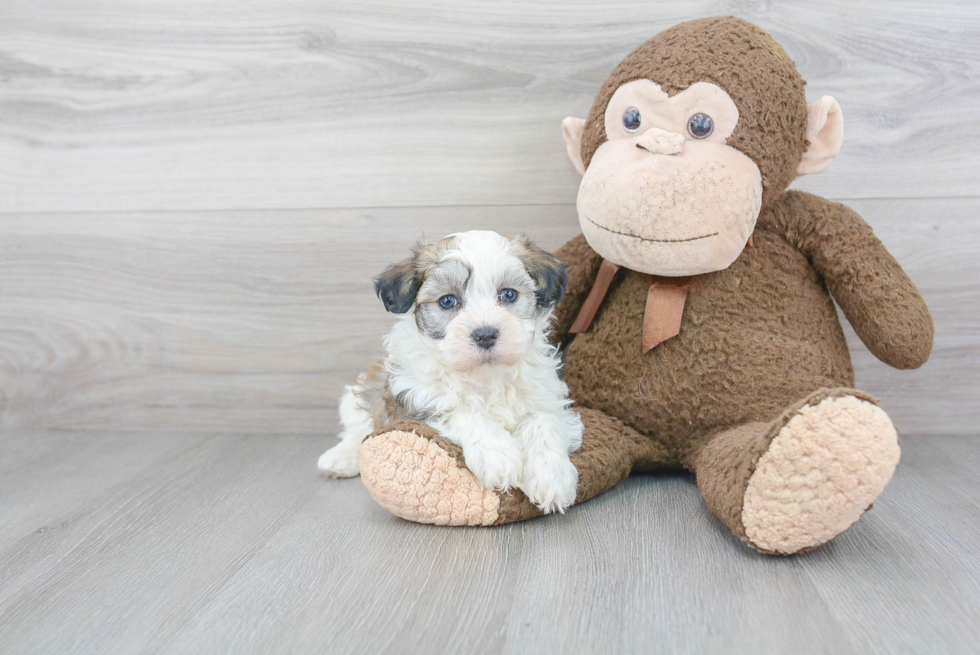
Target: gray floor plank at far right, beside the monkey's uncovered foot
x=903 y=550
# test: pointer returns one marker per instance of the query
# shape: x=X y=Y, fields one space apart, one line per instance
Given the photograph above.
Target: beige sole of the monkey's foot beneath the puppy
x=412 y=477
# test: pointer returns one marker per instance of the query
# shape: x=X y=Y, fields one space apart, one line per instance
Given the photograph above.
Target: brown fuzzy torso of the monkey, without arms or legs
x=754 y=338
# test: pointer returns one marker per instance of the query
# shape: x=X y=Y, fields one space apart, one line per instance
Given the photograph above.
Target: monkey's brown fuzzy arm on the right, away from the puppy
x=877 y=296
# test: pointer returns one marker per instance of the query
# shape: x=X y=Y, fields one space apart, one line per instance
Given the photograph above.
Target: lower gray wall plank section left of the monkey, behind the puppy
x=201 y=321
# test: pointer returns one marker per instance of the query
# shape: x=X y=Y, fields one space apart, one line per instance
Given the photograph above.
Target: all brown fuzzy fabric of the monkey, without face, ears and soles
x=759 y=340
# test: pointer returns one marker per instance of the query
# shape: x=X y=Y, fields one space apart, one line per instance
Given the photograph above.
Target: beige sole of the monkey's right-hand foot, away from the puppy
x=821 y=473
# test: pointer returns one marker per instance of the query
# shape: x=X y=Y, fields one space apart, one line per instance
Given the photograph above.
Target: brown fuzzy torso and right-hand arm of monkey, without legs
x=755 y=337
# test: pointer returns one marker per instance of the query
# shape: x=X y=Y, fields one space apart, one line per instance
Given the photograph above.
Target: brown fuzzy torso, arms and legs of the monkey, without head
x=758 y=341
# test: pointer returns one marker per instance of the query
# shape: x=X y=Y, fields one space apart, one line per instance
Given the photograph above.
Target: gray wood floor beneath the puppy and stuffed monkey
x=235 y=545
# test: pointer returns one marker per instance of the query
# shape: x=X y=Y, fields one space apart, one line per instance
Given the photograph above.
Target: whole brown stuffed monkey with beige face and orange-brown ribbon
x=698 y=317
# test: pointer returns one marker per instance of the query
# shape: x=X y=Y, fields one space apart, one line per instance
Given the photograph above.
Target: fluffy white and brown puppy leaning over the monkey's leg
x=471 y=358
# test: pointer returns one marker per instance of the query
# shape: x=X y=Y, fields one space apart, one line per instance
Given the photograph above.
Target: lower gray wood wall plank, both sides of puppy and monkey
x=254 y=321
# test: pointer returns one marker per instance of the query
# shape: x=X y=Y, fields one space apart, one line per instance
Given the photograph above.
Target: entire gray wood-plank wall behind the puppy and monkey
x=193 y=198
